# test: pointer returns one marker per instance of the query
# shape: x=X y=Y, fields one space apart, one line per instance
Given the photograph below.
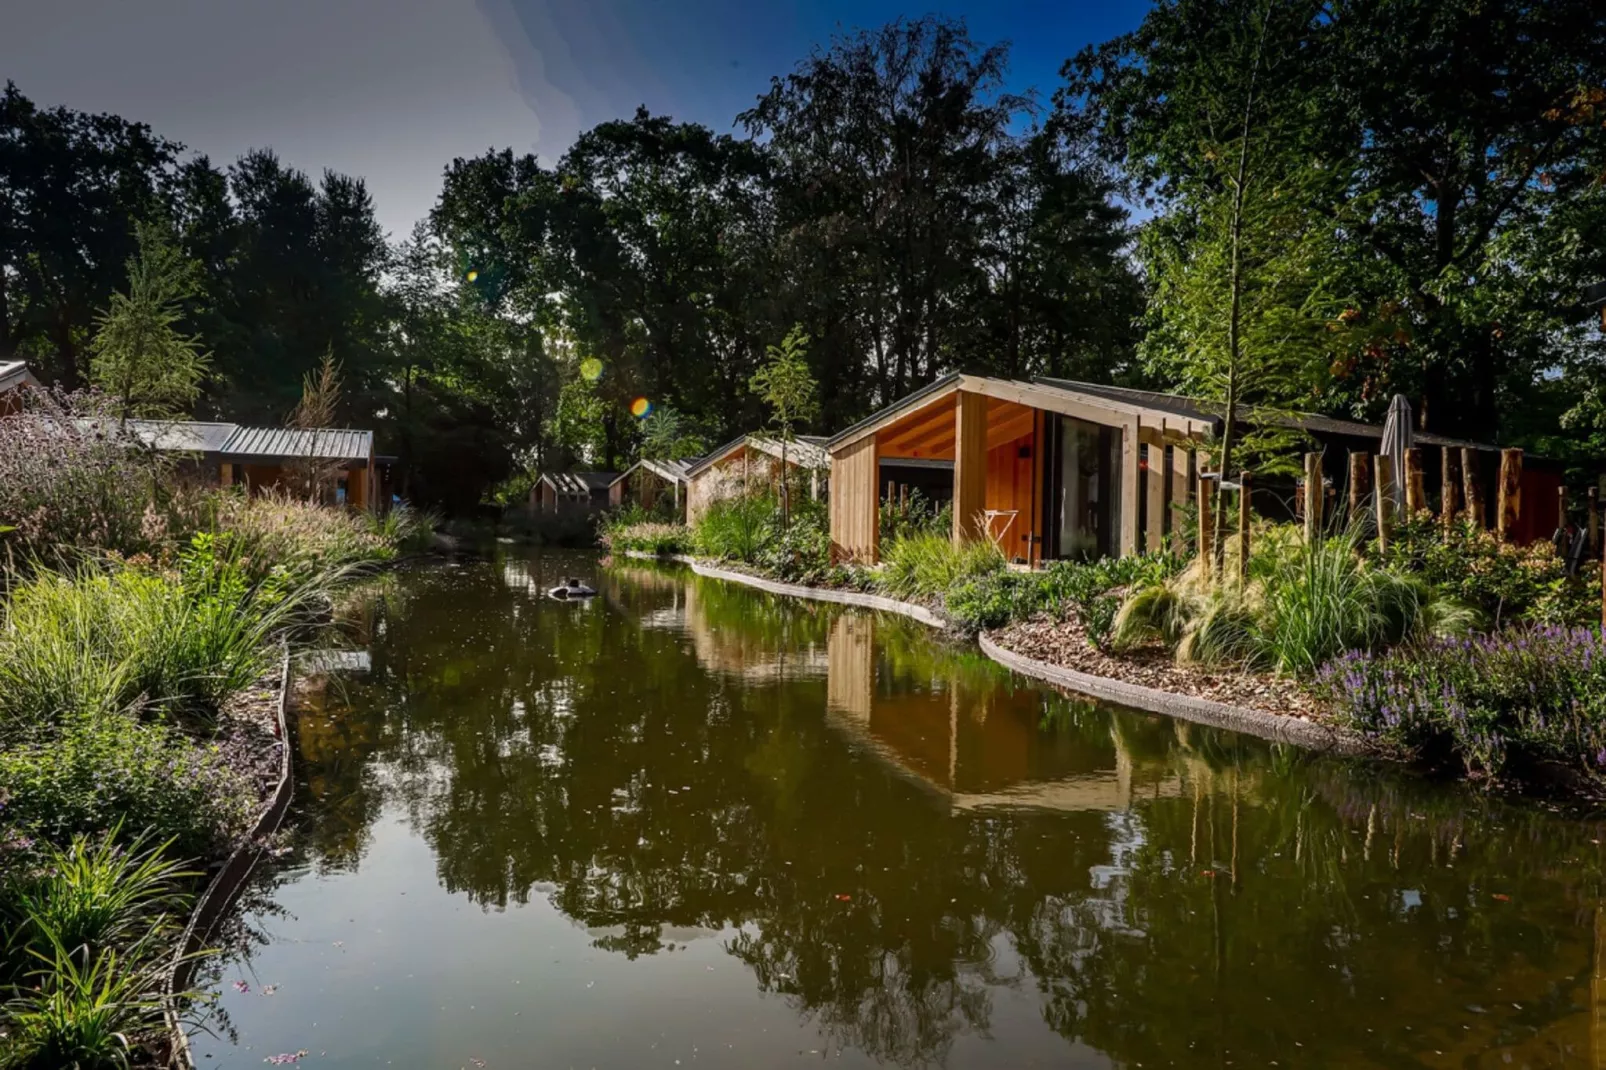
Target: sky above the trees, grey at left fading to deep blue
x=394 y=89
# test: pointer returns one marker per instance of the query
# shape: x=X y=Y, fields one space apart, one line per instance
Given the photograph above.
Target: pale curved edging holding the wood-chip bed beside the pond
x=1289 y=730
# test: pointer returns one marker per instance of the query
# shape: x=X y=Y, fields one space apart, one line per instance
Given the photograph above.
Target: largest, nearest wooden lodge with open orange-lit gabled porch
x=1056 y=470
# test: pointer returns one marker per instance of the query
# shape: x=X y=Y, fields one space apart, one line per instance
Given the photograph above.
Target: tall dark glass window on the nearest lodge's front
x=1083 y=489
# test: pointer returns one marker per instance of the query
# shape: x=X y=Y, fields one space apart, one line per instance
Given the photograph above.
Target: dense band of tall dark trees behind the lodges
x=1335 y=203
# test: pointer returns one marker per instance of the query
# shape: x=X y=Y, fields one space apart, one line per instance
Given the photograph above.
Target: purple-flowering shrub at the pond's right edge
x=1528 y=695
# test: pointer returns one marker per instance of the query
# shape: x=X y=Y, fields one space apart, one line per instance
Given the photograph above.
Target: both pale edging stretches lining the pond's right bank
x=1292 y=729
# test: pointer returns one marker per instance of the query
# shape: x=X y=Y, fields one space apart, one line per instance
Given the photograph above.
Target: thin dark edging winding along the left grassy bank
x=229 y=883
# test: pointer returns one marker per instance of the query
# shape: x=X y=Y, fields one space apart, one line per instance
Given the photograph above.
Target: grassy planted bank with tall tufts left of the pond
x=136 y=729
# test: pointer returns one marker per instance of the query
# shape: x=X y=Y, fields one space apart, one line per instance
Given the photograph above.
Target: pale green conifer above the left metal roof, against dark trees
x=139 y=354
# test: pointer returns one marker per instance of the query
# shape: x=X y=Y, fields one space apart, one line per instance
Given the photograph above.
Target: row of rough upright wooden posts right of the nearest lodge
x=1459 y=483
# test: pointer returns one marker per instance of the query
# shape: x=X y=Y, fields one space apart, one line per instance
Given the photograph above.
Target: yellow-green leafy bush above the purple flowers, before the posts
x=1504 y=582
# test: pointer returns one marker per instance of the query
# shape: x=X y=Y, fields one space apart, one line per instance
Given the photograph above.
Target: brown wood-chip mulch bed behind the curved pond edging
x=1066 y=645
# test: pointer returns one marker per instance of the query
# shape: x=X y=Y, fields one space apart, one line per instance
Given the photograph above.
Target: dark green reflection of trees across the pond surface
x=1270 y=899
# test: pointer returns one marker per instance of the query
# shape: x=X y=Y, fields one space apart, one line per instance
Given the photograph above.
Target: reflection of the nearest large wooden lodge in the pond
x=979 y=745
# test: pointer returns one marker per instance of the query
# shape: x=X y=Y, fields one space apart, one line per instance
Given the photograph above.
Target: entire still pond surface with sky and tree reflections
x=693 y=825
